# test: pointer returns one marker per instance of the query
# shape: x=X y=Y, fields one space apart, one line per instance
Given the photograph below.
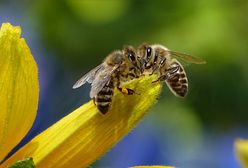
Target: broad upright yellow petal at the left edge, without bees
x=18 y=88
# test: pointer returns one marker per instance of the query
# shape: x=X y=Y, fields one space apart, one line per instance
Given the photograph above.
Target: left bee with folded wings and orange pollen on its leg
x=119 y=66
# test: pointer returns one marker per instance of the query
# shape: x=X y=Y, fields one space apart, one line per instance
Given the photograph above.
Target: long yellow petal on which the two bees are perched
x=83 y=136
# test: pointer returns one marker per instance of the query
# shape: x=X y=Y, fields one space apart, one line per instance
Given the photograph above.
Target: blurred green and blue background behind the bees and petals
x=69 y=37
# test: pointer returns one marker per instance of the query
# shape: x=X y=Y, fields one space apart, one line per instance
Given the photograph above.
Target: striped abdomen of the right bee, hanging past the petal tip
x=178 y=82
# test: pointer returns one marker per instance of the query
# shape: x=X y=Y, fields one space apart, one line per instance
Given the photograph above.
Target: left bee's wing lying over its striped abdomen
x=102 y=78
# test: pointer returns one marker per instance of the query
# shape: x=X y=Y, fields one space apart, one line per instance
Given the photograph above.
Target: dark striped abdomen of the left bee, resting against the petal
x=104 y=98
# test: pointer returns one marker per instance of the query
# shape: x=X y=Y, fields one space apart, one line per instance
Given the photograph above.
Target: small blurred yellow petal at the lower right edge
x=241 y=148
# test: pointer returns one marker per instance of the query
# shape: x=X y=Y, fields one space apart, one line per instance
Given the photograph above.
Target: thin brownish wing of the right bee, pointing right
x=187 y=58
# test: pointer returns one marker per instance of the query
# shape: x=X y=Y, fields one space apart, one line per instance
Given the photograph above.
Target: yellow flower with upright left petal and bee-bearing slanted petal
x=76 y=140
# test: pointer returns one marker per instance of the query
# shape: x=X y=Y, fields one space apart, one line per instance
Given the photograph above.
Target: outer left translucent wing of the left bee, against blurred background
x=89 y=77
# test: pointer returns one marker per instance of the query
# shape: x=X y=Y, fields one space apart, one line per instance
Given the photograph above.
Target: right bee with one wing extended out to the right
x=164 y=62
